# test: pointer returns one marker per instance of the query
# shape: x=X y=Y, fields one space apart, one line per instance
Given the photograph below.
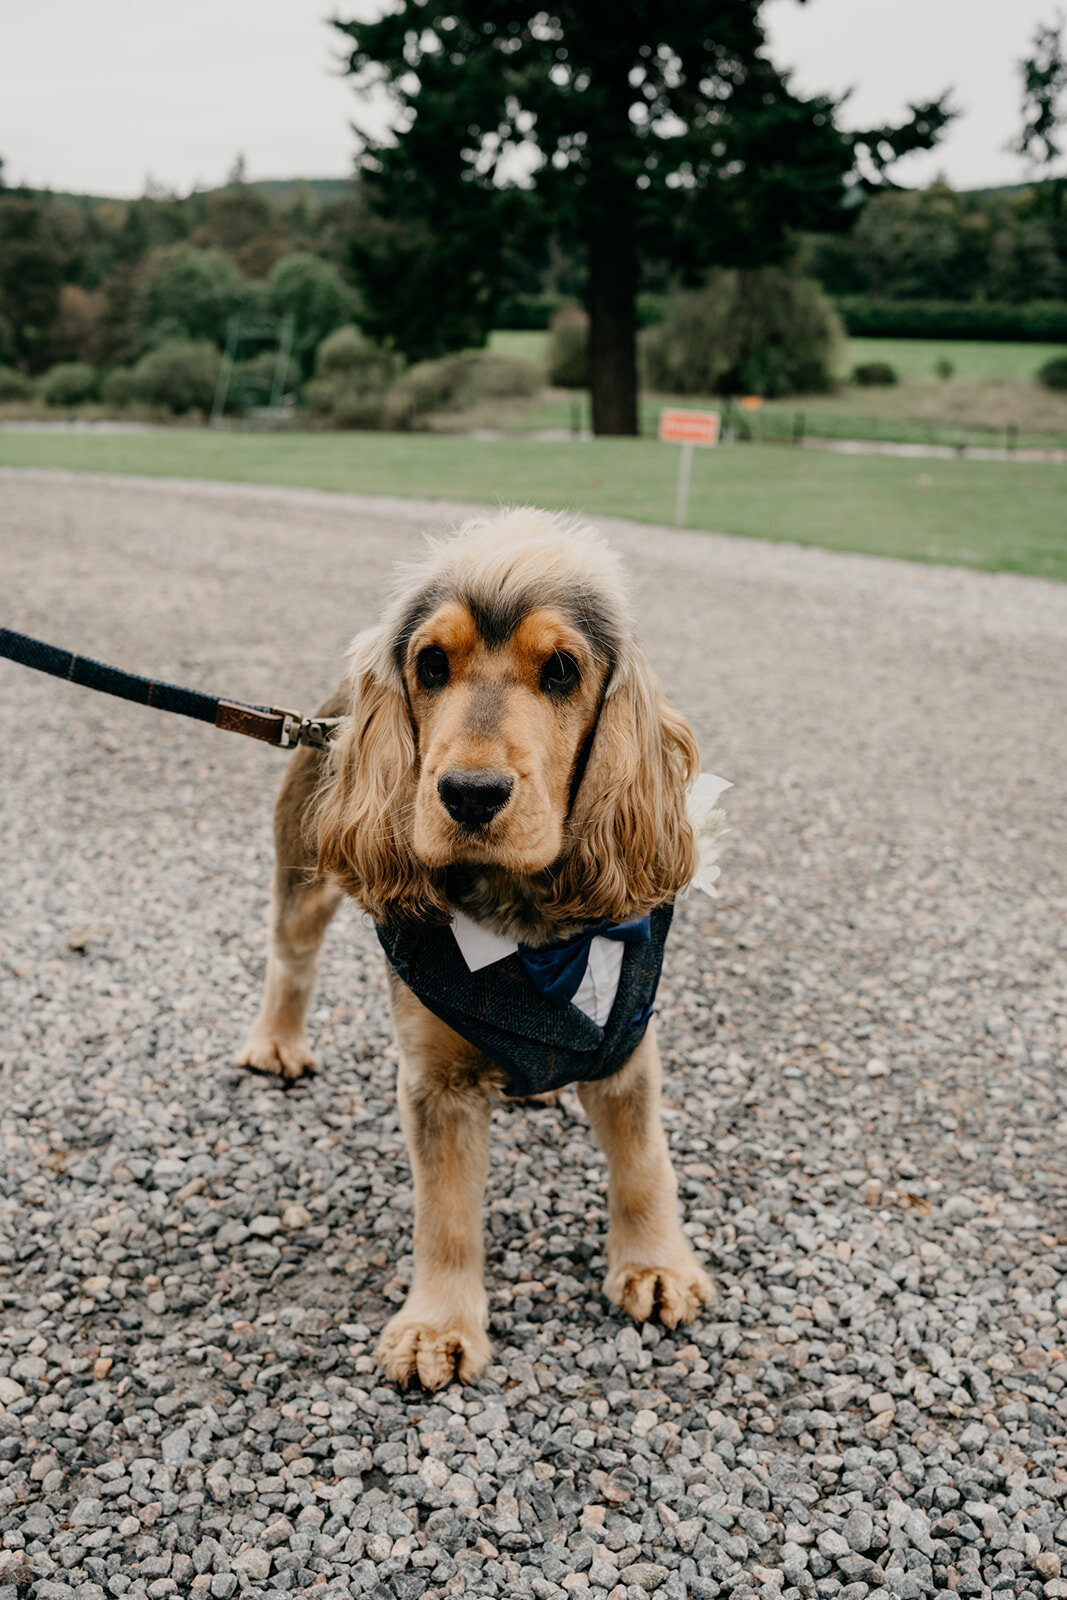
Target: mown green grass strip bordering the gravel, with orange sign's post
x=978 y=514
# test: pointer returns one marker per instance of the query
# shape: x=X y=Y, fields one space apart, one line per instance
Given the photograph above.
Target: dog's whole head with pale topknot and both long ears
x=503 y=716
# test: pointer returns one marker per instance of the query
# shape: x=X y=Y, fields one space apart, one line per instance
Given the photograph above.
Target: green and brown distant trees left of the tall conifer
x=106 y=281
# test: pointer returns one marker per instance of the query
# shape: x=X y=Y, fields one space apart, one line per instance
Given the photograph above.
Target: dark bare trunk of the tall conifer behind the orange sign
x=613 y=326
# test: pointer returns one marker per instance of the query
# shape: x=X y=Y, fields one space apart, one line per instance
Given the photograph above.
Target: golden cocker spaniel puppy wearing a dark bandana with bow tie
x=506 y=796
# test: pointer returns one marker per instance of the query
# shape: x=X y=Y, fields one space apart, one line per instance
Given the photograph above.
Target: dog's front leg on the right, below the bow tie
x=652 y=1268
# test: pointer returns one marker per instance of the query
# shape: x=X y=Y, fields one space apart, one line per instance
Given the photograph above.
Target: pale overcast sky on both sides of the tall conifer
x=100 y=97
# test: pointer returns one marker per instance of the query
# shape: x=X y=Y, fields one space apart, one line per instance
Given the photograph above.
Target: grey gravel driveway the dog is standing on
x=866 y=1097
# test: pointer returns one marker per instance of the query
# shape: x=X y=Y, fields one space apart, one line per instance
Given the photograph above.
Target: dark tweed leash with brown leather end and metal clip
x=271 y=724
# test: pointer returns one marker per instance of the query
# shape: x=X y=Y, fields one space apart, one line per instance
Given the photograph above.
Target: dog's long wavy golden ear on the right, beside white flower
x=631 y=842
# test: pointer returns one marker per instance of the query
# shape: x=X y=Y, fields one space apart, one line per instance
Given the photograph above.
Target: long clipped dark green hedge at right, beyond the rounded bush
x=881 y=319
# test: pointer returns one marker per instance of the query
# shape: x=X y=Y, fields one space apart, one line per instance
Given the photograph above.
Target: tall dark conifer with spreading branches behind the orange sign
x=629 y=132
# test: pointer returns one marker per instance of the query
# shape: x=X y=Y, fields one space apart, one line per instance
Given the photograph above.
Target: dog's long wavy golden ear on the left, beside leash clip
x=367 y=802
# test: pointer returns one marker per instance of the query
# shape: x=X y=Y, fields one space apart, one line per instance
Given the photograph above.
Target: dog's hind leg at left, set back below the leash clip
x=302 y=908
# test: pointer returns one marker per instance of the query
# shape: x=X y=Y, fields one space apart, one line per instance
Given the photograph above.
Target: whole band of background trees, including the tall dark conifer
x=538 y=159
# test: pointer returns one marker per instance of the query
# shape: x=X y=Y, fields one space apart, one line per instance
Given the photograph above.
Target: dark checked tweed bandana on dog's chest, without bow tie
x=541 y=1046
